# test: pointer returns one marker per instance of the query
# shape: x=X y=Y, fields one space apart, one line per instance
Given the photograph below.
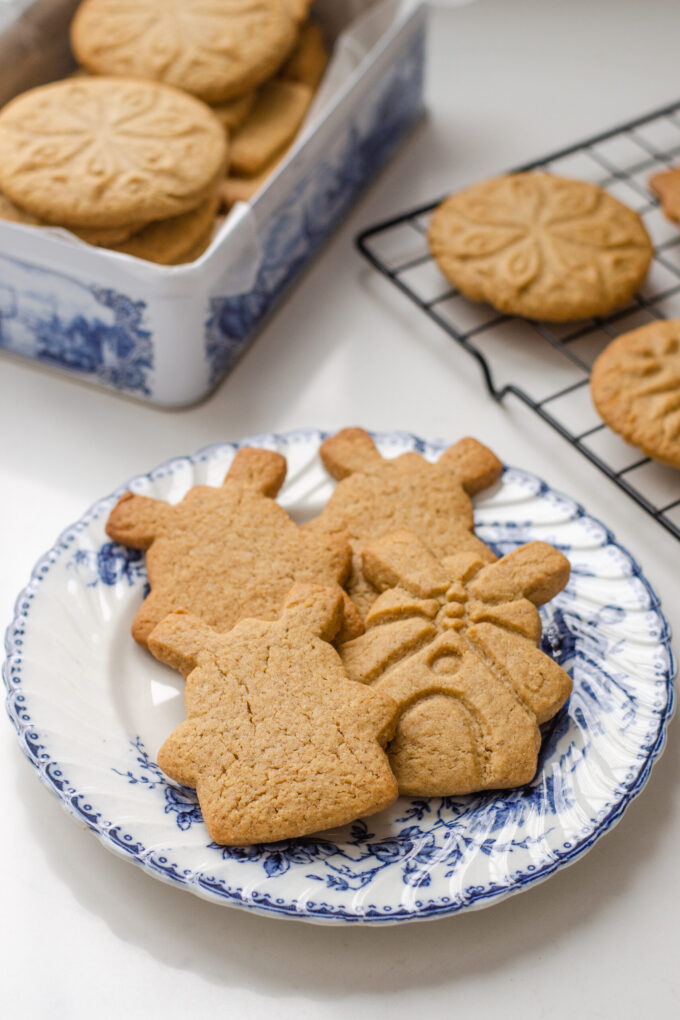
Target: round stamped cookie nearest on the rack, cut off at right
x=636 y=386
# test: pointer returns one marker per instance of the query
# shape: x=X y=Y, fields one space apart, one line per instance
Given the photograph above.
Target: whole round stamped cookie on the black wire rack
x=541 y=246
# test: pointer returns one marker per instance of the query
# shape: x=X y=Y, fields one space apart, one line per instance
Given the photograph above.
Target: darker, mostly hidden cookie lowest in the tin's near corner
x=171 y=241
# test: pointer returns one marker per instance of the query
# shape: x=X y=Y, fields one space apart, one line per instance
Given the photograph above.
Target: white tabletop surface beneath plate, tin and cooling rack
x=87 y=935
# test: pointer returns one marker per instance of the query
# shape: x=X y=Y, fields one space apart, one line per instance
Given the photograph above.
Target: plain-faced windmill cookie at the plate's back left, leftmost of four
x=227 y=553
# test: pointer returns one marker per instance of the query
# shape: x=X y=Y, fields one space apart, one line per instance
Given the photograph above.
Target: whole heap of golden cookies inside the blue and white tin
x=177 y=111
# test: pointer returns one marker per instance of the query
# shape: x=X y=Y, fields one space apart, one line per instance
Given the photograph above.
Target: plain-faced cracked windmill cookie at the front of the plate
x=279 y=743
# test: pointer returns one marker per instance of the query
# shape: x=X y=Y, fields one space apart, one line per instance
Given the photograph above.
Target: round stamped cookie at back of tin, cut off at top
x=216 y=49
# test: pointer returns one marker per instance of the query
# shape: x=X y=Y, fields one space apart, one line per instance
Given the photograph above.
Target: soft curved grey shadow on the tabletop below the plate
x=232 y=948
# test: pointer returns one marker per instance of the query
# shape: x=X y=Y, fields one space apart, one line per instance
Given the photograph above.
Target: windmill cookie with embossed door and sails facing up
x=454 y=643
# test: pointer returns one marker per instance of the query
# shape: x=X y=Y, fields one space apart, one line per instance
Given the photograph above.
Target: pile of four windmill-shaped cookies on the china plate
x=381 y=649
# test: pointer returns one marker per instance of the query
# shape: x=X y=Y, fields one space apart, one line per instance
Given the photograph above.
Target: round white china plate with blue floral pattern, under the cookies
x=91 y=709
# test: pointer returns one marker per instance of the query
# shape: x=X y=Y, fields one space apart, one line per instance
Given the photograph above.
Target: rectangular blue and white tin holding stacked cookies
x=170 y=335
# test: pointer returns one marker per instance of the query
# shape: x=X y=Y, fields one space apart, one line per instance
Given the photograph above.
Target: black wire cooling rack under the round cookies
x=554 y=361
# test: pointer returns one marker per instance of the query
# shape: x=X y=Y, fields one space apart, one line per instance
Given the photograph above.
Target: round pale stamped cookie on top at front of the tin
x=109 y=152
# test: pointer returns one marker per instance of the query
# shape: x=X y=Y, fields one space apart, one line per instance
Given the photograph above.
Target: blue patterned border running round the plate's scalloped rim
x=116 y=839
